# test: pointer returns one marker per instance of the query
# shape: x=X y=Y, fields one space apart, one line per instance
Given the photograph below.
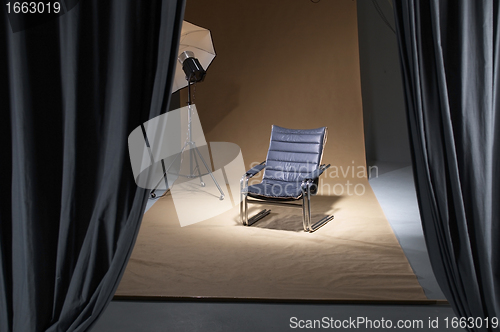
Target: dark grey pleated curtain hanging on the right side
x=450 y=53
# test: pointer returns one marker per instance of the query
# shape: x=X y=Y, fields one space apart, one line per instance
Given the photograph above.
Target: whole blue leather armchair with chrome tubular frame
x=292 y=168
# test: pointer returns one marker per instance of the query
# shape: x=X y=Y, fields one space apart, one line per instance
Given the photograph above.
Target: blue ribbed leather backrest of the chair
x=293 y=153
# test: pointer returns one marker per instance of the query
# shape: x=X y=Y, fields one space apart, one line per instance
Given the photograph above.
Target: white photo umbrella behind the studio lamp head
x=199 y=41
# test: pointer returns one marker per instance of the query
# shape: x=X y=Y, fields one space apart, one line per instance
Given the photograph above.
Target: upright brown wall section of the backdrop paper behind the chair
x=290 y=63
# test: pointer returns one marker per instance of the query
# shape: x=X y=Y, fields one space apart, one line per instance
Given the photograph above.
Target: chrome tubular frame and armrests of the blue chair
x=306 y=185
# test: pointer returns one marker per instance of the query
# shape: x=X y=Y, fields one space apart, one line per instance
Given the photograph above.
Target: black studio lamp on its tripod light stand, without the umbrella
x=194 y=73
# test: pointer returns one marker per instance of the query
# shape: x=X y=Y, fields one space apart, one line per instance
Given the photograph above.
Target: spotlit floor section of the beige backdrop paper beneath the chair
x=354 y=257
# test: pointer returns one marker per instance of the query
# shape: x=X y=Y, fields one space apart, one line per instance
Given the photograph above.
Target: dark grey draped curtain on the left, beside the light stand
x=72 y=89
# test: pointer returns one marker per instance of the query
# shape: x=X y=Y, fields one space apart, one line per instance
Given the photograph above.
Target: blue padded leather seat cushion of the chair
x=275 y=189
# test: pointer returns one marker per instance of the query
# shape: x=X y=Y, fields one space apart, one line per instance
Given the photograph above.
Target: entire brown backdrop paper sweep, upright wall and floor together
x=292 y=63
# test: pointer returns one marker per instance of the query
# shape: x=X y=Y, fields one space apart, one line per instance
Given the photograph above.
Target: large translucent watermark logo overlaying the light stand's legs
x=169 y=152
